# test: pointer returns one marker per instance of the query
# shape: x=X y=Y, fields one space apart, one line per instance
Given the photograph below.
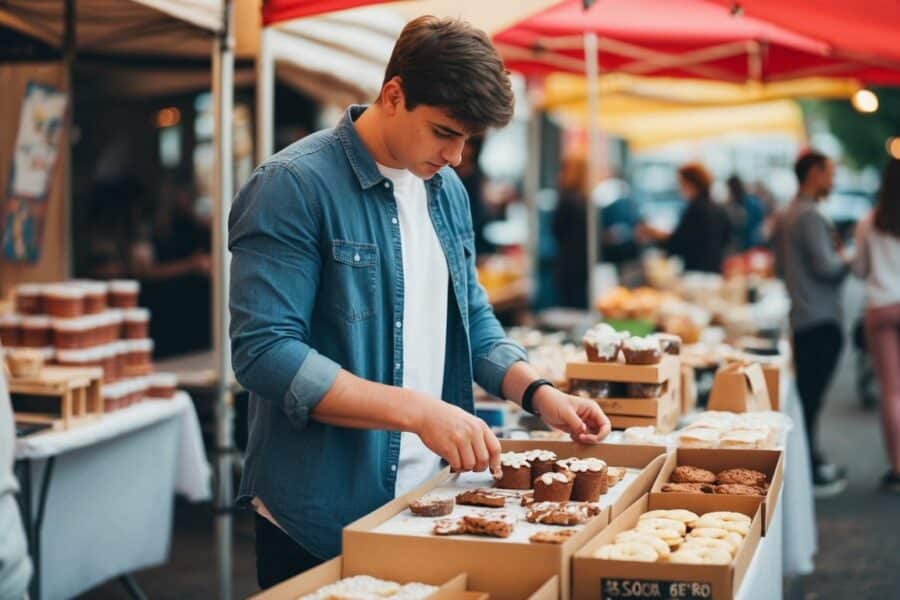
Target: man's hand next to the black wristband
x=581 y=418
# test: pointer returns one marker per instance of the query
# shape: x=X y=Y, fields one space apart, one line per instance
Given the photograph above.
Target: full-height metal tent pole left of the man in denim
x=223 y=101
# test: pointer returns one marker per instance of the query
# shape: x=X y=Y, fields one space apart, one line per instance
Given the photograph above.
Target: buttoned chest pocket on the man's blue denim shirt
x=353 y=275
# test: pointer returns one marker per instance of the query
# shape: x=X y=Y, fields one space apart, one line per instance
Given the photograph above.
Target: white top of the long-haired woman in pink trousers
x=878 y=261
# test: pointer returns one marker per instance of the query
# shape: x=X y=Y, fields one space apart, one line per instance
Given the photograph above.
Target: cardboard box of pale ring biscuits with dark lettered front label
x=613 y=579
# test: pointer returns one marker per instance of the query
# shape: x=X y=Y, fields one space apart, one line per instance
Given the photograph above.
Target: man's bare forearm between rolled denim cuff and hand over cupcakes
x=358 y=403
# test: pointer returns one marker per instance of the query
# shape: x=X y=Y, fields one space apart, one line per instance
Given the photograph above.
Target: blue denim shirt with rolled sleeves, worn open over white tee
x=317 y=286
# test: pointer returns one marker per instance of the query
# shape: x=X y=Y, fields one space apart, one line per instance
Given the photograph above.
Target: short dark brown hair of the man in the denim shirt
x=449 y=64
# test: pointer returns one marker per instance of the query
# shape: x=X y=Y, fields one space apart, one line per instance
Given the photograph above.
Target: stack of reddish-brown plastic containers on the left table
x=85 y=323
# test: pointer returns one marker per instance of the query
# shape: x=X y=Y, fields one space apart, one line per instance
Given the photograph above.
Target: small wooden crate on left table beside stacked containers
x=79 y=391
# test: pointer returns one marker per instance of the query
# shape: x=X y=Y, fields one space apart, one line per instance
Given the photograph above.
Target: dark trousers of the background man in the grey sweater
x=816 y=352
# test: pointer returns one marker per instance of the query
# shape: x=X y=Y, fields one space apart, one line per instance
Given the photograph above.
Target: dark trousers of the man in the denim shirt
x=278 y=557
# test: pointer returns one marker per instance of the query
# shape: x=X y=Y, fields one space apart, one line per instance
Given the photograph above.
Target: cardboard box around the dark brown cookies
x=770 y=462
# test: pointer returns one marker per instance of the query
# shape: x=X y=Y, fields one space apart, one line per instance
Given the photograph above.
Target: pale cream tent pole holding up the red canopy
x=593 y=156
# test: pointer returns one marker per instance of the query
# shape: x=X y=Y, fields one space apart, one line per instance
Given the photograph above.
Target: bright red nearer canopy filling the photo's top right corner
x=866 y=29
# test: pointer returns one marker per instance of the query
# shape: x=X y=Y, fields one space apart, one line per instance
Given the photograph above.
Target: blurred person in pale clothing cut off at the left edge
x=15 y=566
